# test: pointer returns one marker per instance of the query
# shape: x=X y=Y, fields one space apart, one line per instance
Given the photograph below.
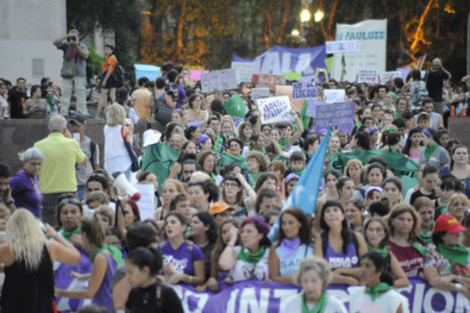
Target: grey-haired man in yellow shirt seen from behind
x=58 y=171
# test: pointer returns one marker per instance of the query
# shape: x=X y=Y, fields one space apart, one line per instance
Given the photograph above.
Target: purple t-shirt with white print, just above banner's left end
x=181 y=257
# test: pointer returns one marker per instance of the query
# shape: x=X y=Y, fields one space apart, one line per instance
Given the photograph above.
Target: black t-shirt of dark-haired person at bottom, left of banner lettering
x=143 y=300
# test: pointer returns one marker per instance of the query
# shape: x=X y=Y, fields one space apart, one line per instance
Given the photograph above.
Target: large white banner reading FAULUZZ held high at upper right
x=372 y=37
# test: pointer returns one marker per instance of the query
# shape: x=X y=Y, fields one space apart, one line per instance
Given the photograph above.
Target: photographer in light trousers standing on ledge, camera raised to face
x=73 y=71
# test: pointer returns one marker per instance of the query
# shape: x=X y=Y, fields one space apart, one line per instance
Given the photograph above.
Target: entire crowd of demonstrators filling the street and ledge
x=224 y=185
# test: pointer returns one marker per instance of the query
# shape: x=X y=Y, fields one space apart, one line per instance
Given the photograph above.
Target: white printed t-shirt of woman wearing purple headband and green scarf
x=248 y=271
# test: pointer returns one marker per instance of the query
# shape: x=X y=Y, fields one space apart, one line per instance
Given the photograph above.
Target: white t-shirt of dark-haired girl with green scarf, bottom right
x=389 y=302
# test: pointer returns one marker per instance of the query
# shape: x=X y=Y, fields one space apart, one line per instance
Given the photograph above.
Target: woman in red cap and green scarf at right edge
x=447 y=265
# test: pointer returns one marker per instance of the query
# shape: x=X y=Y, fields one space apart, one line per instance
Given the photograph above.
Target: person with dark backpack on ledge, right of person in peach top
x=162 y=103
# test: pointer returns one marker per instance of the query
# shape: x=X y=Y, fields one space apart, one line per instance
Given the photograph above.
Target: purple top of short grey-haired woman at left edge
x=26 y=194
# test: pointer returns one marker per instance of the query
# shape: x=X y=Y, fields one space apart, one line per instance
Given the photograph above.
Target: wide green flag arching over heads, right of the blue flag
x=402 y=167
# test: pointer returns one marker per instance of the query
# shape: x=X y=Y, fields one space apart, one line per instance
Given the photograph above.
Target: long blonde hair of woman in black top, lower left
x=26 y=238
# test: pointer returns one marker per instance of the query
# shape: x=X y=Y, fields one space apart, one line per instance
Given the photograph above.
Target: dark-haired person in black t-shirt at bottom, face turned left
x=142 y=266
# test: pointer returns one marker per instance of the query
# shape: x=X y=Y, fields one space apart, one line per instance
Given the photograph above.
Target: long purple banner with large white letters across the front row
x=267 y=297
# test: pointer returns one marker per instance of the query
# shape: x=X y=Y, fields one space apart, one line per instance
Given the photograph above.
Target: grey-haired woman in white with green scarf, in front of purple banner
x=313 y=276
